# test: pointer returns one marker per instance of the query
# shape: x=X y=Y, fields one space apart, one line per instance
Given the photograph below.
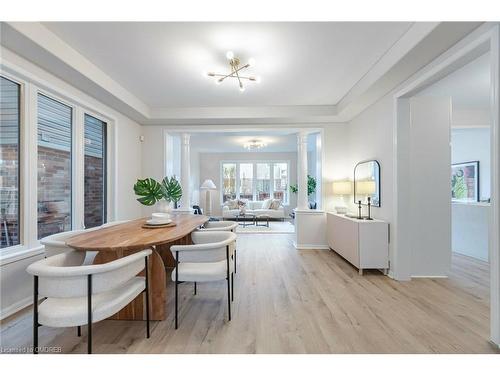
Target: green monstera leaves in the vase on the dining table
x=151 y=191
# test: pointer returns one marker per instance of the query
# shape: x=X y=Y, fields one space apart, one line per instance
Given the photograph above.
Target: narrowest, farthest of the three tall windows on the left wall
x=94 y=172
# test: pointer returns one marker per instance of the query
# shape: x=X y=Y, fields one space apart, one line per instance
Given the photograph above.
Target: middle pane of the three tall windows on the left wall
x=54 y=166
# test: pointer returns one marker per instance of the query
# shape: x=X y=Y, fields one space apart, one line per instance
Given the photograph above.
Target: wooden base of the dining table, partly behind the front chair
x=135 y=310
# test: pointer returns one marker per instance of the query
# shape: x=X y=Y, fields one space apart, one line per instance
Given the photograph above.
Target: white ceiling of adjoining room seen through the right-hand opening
x=469 y=86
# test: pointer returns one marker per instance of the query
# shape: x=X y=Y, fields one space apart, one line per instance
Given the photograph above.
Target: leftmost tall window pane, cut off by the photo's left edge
x=9 y=172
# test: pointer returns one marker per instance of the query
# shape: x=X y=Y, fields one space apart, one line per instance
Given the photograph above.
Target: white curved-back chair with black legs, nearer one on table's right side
x=208 y=259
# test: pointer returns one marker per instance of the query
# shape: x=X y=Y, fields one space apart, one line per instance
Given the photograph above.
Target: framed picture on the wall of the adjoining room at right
x=465 y=182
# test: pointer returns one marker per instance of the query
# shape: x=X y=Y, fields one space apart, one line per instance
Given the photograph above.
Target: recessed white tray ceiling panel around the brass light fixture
x=299 y=63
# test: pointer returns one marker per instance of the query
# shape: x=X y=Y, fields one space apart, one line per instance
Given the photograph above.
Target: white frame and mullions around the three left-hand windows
x=30 y=86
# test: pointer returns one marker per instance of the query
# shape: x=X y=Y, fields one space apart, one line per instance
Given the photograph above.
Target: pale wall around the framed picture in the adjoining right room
x=473 y=144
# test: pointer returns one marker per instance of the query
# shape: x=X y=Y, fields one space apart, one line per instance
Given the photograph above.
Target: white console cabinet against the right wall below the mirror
x=364 y=243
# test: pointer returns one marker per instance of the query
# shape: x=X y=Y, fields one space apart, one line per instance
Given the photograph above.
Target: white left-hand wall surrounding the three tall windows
x=16 y=284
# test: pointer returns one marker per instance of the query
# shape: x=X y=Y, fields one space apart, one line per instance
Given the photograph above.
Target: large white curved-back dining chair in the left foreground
x=76 y=295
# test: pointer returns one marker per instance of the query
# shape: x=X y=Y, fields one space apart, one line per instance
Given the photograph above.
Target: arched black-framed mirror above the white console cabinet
x=367 y=182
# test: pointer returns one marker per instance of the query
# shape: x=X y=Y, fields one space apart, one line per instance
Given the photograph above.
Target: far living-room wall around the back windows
x=210 y=169
